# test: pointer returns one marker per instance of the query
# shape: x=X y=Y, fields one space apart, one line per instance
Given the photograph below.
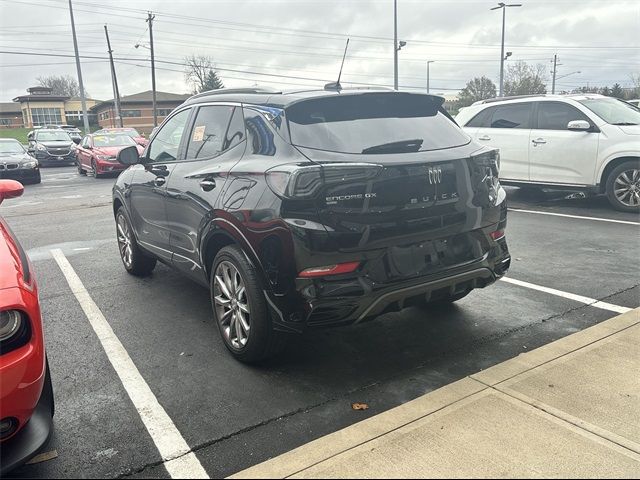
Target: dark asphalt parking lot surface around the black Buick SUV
x=233 y=416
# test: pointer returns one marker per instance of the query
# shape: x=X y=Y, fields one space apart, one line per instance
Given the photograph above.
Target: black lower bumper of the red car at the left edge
x=35 y=435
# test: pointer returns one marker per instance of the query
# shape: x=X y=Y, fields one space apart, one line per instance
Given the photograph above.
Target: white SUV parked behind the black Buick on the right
x=589 y=142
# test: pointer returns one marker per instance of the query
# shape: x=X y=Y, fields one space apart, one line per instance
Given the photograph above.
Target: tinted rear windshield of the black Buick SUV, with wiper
x=373 y=123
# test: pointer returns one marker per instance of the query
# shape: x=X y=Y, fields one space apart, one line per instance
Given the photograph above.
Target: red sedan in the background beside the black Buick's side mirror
x=97 y=153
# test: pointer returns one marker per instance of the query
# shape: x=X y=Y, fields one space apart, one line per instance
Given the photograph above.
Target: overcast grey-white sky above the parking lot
x=300 y=42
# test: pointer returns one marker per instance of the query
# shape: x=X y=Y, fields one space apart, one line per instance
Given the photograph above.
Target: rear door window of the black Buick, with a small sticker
x=216 y=129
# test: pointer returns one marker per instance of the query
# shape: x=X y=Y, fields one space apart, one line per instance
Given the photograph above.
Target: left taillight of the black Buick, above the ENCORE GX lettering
x=305 y=181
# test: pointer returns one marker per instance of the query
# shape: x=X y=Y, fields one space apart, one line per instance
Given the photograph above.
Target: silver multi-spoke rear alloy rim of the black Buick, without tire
x=231 y=304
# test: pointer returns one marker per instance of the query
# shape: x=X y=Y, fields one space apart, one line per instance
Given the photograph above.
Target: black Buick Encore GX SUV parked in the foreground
x=312 y=209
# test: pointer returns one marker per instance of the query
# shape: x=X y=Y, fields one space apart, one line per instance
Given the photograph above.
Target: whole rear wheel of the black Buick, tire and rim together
x=233 y=312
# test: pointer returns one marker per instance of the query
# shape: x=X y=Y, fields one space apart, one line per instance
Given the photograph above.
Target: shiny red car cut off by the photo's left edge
x=26 y=394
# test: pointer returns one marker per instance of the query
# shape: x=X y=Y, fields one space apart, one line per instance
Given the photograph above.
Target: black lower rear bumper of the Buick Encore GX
x=353 y=298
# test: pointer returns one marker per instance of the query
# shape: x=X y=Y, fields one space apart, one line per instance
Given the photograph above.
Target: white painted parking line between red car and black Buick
x=180 y=462
